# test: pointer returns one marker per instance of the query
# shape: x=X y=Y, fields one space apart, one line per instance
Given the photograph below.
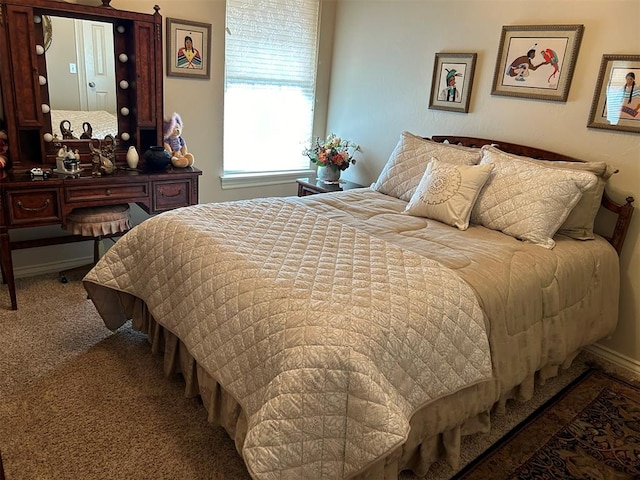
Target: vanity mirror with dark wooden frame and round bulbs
x=71 y=72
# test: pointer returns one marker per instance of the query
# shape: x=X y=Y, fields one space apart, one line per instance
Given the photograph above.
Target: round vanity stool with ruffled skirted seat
x=100 y=222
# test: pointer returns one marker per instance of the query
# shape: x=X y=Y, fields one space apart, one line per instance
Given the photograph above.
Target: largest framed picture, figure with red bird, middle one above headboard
x=537 y=61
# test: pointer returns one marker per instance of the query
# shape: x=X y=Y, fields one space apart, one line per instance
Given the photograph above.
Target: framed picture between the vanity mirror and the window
x=188 y=48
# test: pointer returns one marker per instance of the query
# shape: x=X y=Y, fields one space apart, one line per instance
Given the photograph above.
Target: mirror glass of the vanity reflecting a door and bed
x=81 y=79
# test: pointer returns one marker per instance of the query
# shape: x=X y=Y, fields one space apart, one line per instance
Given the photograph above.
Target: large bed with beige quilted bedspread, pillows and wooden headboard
x=361 y=333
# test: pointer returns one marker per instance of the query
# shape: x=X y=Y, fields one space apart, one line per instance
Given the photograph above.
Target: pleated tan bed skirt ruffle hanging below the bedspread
x=436 y=429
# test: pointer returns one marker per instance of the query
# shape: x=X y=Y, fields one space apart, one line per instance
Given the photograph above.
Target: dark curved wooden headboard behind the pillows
x=623 y=212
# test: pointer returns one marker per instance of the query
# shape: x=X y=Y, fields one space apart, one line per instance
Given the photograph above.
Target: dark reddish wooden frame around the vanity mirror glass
x=136 y=35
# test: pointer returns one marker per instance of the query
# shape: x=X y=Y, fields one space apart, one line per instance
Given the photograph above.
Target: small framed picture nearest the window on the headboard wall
x=452 y=81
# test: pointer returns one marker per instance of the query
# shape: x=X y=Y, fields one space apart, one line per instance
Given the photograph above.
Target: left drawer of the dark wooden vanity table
x=33 y=207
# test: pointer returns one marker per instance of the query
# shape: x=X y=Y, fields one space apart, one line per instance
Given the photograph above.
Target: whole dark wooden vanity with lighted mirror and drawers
x=78 y=60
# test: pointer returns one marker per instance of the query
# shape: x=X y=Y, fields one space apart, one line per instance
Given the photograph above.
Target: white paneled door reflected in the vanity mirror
x=95 y=46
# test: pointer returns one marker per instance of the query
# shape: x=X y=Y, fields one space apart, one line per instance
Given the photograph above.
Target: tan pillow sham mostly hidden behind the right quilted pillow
x=579 y=223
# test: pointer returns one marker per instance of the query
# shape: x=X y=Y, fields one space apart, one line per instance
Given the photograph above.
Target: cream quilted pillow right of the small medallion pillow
x=526 y=199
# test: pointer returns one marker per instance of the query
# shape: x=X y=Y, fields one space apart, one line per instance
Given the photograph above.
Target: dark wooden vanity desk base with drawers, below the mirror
x=38 y=202
